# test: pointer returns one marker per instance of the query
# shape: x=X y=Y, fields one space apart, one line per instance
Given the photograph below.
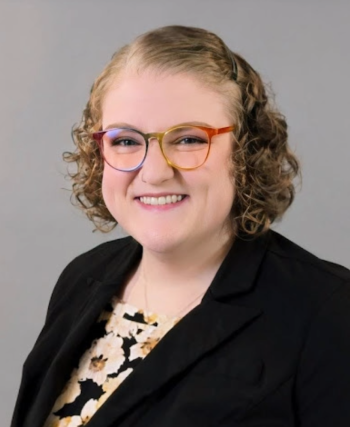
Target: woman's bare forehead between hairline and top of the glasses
x=153 y=102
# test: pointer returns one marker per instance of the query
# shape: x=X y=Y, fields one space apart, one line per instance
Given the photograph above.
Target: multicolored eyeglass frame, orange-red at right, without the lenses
x=98 y=138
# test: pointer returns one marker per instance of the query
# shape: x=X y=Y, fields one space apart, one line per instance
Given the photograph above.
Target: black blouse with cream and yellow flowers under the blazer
x=123 y=336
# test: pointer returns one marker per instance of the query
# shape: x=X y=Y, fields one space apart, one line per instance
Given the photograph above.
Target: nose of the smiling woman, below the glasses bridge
x=155 y=168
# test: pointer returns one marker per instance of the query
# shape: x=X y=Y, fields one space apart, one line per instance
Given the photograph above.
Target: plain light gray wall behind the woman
x=50 y=52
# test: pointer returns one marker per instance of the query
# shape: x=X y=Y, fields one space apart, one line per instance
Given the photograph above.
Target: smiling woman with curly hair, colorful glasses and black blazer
x=203 y=316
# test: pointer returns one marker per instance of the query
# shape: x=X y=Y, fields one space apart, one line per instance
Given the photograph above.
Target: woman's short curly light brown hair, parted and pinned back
x=263 y=165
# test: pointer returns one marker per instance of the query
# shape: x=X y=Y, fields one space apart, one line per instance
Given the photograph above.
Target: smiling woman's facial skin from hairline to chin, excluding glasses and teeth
x=152 y=103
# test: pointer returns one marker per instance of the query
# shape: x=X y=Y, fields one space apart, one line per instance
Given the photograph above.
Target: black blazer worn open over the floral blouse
x=268 y=346
